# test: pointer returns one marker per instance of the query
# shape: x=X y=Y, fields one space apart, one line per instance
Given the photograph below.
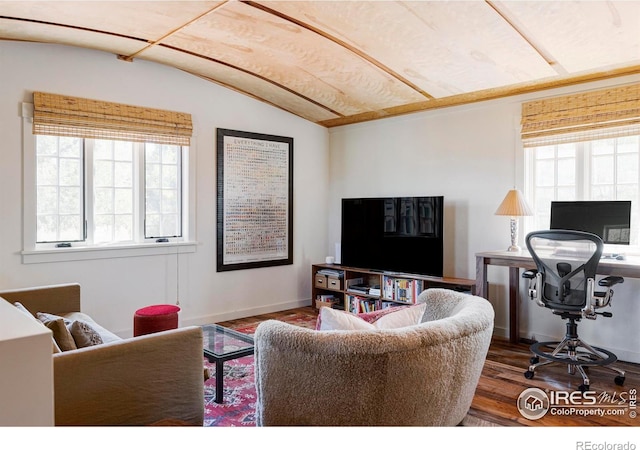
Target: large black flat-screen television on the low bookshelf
x=394 y=234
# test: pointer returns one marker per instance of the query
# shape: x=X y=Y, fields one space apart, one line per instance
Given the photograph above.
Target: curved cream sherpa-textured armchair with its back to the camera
x=420 y=375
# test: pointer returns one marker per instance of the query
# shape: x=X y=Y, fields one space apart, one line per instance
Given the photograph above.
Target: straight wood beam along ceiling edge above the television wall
x=479 y=96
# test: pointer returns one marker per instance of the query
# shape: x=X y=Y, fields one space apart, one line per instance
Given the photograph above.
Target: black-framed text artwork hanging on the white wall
x=254 y=200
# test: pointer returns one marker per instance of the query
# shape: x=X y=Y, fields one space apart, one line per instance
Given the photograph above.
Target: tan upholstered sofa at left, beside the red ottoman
x=156 y=378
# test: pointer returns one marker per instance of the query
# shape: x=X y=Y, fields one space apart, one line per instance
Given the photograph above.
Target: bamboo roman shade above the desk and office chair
x=590 y=115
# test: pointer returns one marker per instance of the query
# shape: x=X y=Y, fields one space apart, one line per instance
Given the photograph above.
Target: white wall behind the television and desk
x=471 y=155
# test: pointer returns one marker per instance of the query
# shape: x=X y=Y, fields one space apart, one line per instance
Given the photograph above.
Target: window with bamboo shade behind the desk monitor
x=583 y=147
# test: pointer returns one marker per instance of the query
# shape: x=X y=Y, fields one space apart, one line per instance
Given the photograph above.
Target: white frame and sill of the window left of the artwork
x=33 y=252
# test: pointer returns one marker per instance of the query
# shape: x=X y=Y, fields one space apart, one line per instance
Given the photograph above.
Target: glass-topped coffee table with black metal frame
x=224 y=344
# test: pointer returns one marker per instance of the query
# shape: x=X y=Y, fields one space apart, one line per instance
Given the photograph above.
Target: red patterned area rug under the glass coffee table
x=239 y=407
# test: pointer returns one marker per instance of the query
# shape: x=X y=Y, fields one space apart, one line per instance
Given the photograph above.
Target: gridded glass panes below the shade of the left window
x=87 y=191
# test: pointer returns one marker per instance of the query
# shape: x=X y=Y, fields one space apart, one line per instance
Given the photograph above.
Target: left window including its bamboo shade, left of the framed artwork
x=105 y=180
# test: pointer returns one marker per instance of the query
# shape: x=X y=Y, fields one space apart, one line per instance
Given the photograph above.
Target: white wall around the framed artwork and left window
x=112 y=289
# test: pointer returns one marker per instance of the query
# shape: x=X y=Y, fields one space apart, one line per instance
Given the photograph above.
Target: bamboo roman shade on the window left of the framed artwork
x=61 y=115
